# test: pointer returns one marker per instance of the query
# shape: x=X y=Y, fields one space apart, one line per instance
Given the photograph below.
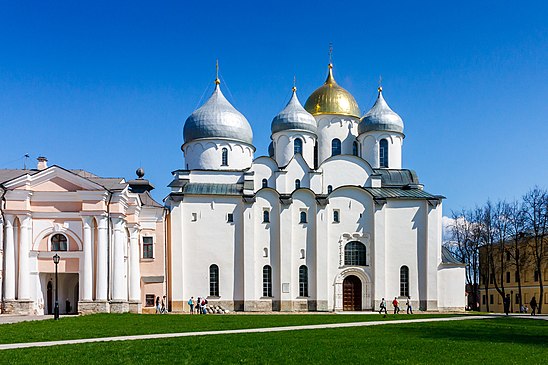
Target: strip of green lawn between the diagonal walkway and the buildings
x=107 y=325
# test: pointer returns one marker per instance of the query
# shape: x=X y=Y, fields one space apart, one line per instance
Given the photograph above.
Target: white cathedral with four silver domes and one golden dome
x=329 y=221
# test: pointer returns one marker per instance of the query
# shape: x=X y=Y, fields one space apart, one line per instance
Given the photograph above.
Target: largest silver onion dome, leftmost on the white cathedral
x=217 y=118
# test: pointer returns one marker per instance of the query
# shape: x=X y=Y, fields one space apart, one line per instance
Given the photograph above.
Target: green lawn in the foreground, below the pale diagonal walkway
x=491 y=341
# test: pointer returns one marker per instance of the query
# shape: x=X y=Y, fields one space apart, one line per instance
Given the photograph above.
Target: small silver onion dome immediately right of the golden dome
x=380 y=118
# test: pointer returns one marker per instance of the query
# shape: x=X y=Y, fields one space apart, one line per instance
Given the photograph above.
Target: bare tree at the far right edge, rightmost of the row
x=536 y=219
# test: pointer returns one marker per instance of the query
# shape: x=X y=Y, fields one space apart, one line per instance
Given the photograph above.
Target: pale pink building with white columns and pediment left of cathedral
x=93 y=224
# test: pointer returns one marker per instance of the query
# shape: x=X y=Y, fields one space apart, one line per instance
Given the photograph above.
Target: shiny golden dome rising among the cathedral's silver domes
x=330 y=98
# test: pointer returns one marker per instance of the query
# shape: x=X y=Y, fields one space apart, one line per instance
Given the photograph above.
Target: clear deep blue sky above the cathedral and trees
x=106 y=86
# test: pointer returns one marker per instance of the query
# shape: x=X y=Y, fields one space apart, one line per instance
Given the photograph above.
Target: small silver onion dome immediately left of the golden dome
x=294 y=117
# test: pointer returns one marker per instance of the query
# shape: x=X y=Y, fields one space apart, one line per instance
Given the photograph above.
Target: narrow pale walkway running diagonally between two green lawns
x=227 y=332
